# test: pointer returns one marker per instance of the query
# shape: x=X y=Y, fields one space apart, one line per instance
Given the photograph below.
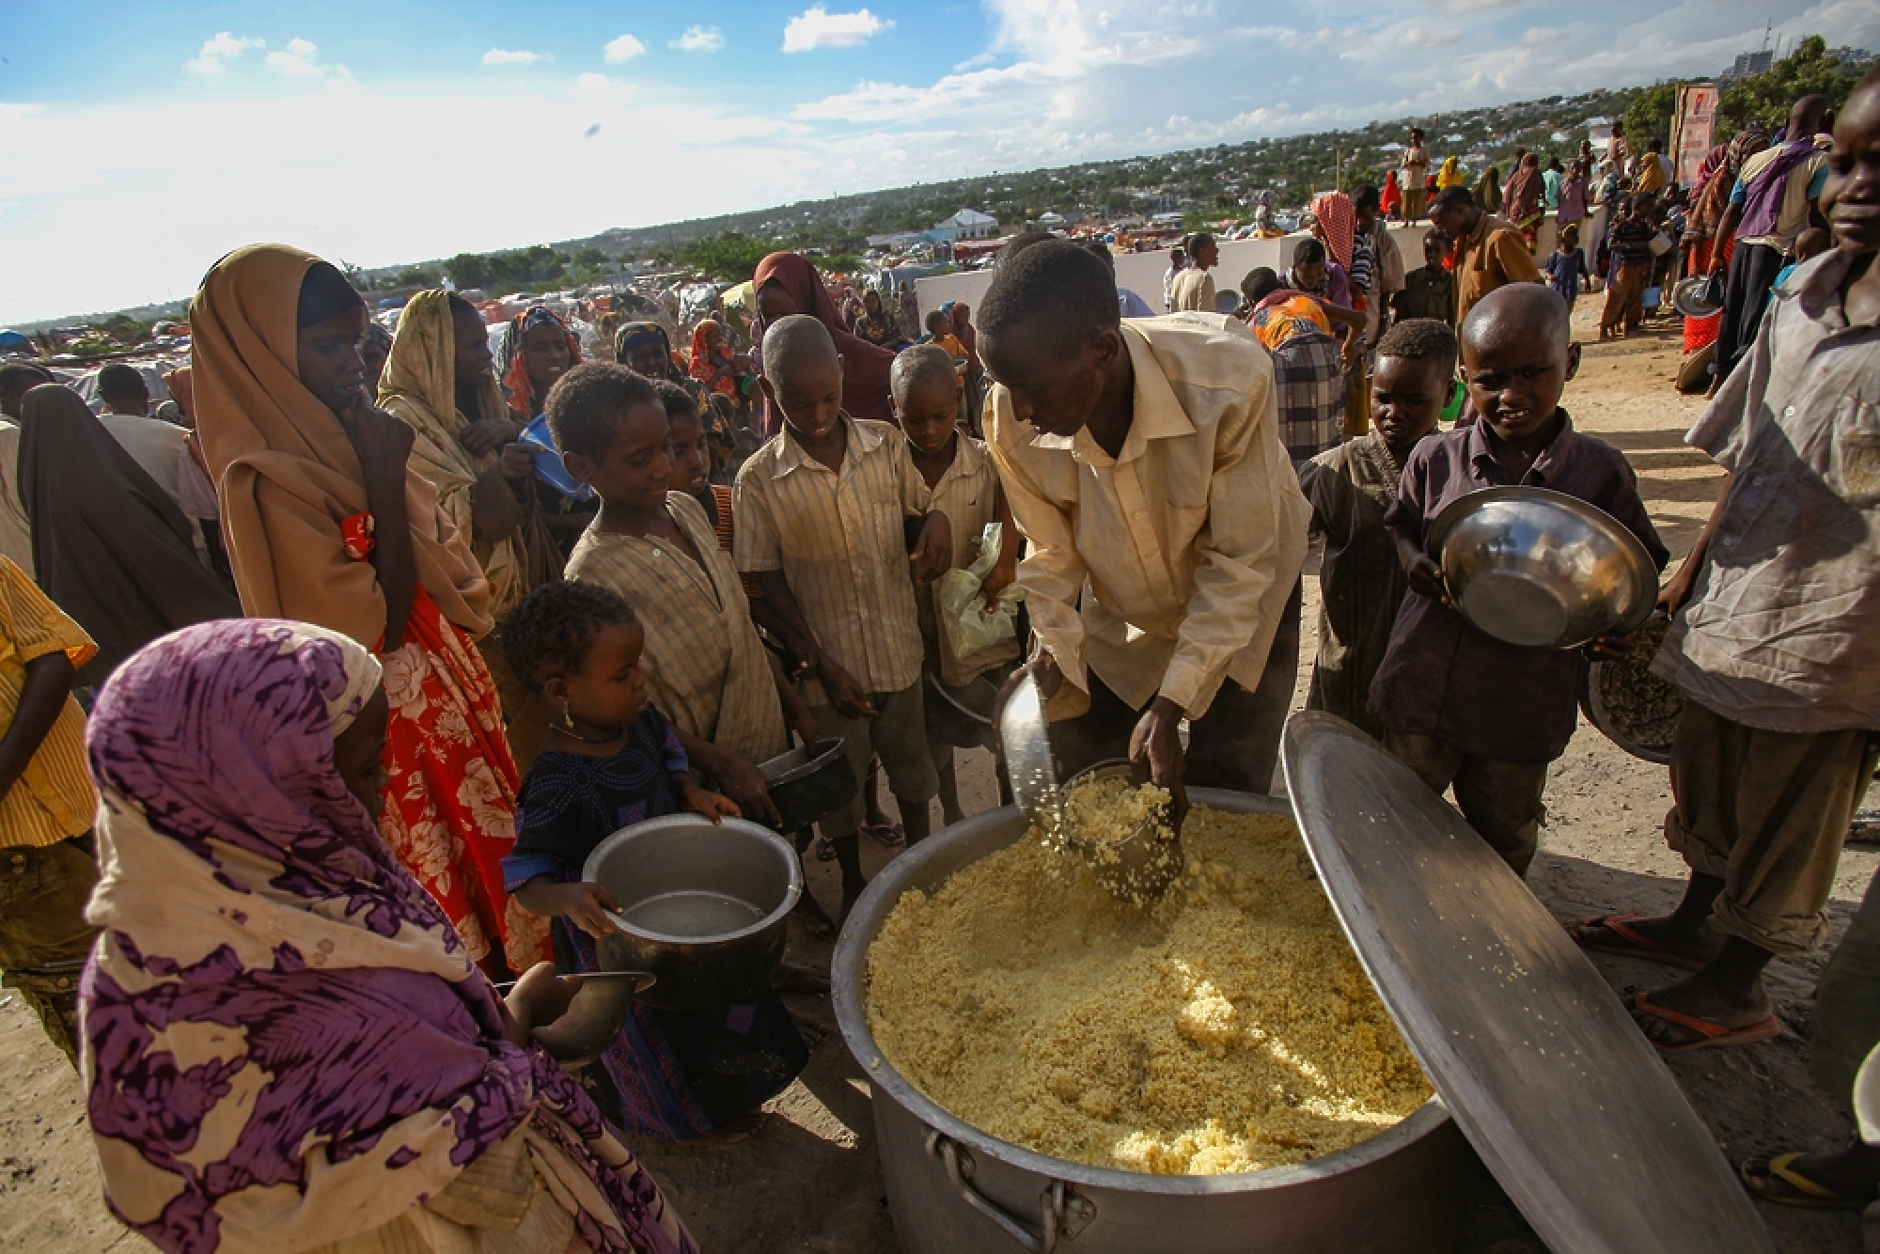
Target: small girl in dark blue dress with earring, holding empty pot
x=608 y=762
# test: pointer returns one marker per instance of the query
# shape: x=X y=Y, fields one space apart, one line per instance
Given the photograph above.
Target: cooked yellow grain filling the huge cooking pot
x=1225 y=1029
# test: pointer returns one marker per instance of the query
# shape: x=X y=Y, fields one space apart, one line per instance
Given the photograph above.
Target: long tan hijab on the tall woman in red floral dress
x=289 y=473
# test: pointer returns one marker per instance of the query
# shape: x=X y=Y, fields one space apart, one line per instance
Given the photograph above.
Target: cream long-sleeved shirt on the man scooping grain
x=1163 y=571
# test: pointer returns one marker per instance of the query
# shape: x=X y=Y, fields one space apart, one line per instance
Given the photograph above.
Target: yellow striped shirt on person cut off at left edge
x=55 y=798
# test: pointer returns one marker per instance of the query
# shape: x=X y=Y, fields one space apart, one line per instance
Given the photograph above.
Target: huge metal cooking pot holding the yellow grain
x=960 y=1191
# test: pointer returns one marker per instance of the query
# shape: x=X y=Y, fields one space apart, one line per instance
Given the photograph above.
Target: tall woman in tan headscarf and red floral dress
x=330 y=524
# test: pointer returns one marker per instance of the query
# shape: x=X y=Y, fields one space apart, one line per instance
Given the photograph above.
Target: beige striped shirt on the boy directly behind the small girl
x=704 y=665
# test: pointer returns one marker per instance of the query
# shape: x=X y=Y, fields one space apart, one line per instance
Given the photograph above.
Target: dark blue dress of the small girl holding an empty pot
x=674 y=1074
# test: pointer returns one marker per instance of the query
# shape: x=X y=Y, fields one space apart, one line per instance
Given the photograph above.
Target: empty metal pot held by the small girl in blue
x=702 y=907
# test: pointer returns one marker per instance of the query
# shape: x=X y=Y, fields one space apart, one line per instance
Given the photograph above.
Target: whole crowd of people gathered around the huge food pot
x=321 y=697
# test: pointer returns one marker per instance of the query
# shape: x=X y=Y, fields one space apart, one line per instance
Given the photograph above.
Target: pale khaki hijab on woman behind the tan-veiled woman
x=420 y=388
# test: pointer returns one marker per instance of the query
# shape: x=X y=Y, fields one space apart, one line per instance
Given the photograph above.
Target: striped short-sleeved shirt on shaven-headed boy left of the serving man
x=839 y=541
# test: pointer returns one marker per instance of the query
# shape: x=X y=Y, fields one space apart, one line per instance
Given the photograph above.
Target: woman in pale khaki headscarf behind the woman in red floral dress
x=441 y=383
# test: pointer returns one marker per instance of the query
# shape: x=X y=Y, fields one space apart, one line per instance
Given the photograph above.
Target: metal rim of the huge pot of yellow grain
x=849 y=984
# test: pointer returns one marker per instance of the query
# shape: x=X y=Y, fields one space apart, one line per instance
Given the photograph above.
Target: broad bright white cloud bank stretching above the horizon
x=1057 y=82
